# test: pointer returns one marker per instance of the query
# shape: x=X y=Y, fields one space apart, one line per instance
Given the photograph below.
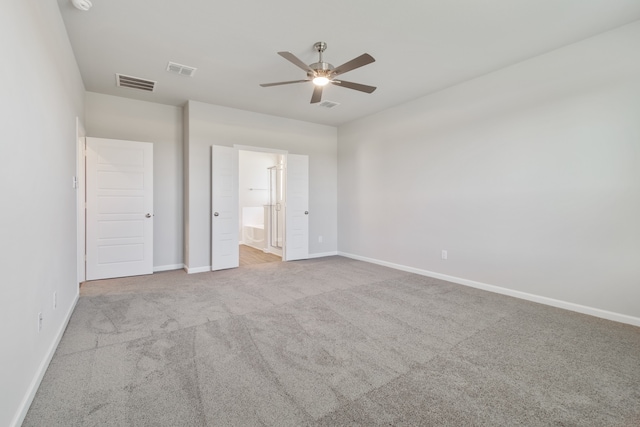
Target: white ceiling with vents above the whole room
x=420 y=46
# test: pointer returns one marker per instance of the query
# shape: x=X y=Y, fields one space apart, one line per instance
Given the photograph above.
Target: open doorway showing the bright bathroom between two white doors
x=261 y=201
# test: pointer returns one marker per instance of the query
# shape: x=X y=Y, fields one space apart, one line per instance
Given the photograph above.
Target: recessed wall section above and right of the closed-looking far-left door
x=120 y=118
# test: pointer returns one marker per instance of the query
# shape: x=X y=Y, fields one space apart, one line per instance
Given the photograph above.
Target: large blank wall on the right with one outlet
x=529 y=177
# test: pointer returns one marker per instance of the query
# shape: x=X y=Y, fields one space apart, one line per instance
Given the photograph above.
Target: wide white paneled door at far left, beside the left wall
x=119 y=185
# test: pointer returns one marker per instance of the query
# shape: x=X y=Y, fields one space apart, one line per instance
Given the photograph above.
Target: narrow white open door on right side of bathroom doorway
x=296 y=242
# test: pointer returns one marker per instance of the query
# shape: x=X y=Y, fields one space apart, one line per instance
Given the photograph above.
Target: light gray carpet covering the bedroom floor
x=332 y=342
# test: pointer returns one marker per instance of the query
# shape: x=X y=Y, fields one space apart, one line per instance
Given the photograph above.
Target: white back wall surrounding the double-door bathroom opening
x=214 y=125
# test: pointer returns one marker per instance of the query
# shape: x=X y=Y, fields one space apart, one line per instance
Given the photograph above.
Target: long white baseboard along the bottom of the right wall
x=604 y=314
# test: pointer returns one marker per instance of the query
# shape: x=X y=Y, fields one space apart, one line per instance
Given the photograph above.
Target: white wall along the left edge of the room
x=42 y=94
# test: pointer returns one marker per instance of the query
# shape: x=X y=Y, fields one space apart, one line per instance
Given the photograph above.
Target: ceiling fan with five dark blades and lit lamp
x=322 y=73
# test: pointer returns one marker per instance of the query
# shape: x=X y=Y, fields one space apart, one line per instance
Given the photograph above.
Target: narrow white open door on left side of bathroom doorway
x=225 y=252
